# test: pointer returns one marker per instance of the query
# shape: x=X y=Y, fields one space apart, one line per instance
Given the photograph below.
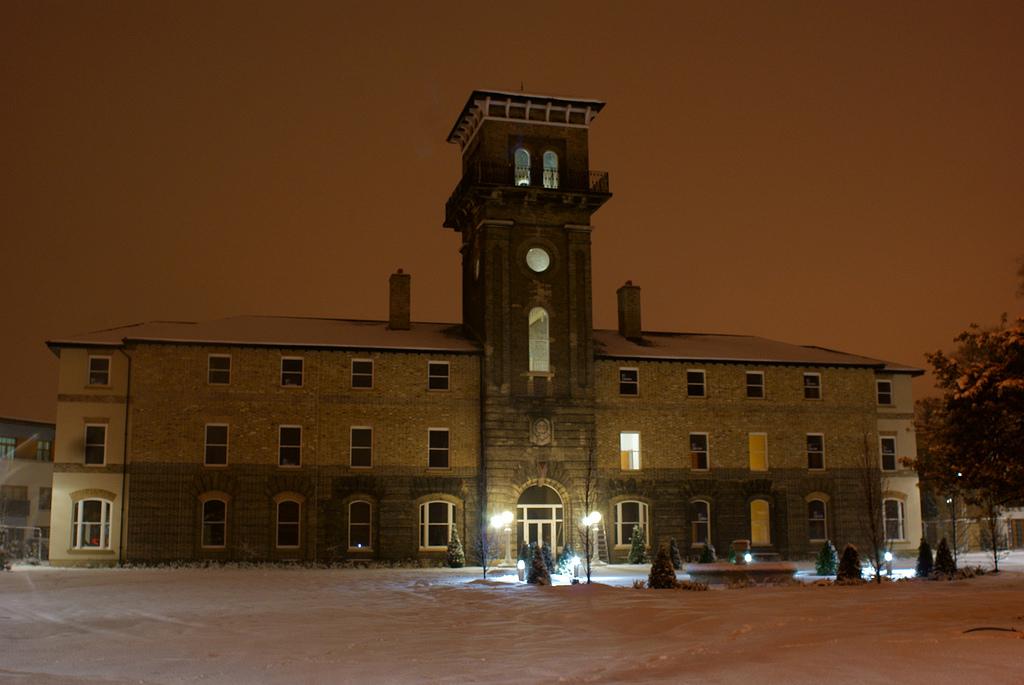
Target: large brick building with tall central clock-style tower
x=323 y=440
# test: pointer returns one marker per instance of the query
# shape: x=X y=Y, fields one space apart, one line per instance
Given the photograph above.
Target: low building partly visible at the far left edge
x=26 y=480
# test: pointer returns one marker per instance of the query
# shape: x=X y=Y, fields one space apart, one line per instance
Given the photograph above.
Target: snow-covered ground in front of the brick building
x=446 y=626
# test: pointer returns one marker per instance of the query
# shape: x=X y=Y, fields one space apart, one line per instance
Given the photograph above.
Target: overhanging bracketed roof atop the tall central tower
x=528 y=108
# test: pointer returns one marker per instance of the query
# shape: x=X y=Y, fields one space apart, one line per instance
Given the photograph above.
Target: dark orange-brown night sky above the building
x=841 y=175
